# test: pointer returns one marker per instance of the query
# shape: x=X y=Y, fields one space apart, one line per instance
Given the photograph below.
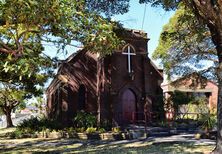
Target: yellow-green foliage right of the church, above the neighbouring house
x=185 y=46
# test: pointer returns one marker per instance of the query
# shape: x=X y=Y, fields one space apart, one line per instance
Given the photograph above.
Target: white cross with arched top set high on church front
x=129 y=50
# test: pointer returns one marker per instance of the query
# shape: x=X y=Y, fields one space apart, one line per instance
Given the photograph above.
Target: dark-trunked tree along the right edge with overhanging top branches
x=209 y=13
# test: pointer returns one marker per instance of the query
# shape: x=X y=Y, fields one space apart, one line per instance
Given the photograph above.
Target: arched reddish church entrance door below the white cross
x=128 y=106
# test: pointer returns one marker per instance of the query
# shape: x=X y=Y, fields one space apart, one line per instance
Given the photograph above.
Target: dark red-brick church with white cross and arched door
x=114 y=87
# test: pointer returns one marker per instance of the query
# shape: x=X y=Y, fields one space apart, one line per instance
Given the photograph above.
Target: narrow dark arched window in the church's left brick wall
x=81 y=97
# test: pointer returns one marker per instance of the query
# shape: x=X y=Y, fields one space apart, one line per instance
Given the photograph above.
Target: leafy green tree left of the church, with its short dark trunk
x=23 y=77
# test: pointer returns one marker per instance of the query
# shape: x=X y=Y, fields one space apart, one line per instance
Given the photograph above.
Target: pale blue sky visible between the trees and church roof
x=154 y=20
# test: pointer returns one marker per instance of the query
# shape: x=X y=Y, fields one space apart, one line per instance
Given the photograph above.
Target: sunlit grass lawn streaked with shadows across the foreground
x=41 y=145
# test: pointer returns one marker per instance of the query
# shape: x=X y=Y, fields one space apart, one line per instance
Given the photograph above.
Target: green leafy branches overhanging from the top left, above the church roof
x=59 y=22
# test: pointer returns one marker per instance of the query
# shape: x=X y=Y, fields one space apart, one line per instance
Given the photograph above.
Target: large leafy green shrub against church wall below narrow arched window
x=83 y=119
